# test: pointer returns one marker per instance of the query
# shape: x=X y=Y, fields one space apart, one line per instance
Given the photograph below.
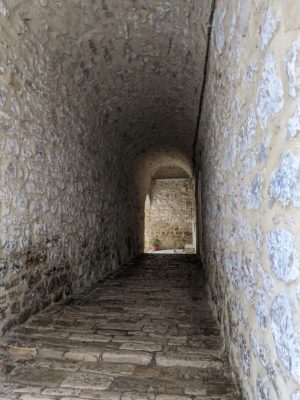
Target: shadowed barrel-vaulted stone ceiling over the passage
x=134 y=65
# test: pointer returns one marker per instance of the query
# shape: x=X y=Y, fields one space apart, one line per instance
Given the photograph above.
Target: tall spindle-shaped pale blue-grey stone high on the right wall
x=269 y=93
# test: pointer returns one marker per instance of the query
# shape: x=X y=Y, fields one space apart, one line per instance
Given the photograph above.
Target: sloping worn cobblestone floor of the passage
x=145 y=334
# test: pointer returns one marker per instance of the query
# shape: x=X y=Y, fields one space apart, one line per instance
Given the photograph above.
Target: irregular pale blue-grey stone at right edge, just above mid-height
x=285 y=182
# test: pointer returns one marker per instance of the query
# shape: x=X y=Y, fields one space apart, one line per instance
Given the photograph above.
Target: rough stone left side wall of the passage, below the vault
x=65 y=203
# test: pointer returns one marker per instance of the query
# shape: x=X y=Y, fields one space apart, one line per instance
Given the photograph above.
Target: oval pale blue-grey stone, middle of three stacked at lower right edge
x=283 y=255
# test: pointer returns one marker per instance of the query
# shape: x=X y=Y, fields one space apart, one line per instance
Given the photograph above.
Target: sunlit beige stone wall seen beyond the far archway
x=169 y=216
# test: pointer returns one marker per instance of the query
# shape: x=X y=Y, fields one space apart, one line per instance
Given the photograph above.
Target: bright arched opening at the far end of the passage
x=170 y=216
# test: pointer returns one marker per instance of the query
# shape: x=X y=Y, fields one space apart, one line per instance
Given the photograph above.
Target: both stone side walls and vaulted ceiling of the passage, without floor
x=96 y=97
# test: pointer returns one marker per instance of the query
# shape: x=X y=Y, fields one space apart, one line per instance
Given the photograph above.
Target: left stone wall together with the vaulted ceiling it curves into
x=86 y=88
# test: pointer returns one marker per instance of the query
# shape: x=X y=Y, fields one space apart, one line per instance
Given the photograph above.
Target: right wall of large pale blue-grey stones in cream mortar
x=250 y=160
